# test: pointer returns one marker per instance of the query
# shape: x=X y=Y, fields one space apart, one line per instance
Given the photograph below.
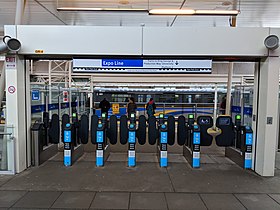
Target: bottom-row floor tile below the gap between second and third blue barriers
x=110 y=200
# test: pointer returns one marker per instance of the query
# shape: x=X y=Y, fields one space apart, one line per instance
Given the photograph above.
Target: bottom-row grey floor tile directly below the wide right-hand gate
x=221 y=202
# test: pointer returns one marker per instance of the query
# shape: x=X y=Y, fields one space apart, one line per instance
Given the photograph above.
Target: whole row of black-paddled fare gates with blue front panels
x=191 y=135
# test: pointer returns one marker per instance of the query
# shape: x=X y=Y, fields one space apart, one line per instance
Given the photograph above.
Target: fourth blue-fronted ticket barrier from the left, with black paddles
x=162 y=131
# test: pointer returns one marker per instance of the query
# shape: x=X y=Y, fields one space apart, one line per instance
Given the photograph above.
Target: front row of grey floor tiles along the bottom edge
x=140 y=200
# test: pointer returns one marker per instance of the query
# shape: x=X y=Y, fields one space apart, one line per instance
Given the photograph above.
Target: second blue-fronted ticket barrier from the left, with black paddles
x=100 y=131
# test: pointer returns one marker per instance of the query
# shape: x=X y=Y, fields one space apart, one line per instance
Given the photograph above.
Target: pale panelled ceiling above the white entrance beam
x=254 y=13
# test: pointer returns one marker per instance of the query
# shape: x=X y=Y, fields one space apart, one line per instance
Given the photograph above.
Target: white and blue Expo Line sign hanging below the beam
x=141 y=66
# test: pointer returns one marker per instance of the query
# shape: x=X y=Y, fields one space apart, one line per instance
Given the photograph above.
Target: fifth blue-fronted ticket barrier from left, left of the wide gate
x=189 y=136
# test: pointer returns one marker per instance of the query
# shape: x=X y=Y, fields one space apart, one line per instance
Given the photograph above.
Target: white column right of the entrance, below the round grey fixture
x=266 y=115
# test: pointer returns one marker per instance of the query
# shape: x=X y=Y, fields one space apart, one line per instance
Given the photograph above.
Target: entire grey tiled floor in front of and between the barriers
x=218 y=184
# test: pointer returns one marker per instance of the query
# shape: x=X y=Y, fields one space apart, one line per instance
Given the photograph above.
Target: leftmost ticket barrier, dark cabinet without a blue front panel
x=45 y=137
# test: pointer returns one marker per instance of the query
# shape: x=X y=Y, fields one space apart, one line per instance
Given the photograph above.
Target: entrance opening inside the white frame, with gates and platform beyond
x=188 y=123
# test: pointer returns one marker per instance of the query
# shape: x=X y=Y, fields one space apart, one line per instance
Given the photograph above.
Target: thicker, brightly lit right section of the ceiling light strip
x=192 y=12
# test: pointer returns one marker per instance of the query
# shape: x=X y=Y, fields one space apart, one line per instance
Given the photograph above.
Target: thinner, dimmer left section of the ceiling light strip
x=92 y=9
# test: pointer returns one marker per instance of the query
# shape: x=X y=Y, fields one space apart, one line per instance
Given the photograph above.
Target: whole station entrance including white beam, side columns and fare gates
x=64 y=114
